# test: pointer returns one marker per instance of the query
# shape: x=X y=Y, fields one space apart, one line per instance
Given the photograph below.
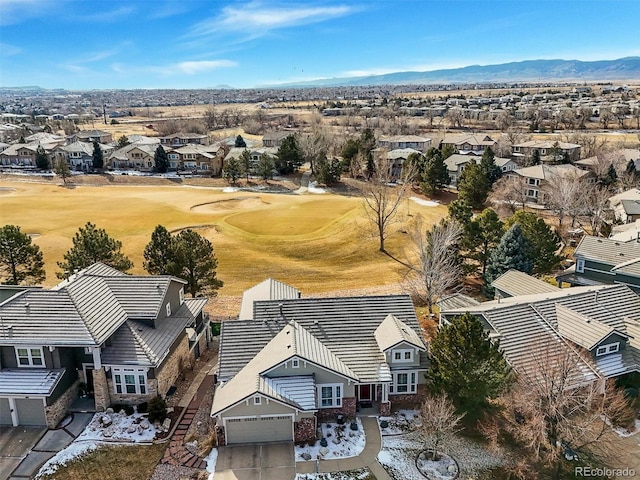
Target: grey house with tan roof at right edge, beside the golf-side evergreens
x=603 y=261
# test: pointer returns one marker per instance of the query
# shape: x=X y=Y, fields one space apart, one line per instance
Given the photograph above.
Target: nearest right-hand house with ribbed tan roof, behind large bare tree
x=598 y=327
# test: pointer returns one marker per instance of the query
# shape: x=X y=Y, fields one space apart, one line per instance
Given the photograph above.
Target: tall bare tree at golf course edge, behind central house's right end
x=434 y=266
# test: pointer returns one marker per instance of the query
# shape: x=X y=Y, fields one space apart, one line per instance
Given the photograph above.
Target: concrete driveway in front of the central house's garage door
x=269 y=461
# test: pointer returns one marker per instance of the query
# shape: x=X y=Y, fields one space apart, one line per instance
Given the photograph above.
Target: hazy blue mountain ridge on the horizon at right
x=527 y=71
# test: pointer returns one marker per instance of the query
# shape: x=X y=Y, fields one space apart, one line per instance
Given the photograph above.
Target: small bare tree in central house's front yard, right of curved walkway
x=439 y=422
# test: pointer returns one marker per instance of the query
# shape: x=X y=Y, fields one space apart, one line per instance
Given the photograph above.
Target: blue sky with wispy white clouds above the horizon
x=94 y=44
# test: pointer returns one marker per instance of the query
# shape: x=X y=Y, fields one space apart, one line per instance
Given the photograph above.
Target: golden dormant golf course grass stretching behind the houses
x=315 y=242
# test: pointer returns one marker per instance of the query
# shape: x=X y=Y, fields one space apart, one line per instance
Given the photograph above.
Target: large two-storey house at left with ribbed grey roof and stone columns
x=121 y=338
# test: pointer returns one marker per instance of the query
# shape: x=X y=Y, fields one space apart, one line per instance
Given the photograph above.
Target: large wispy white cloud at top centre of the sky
x=256 y=18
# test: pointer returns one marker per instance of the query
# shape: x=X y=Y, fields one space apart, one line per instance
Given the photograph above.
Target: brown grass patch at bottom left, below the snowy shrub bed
x=112 y=463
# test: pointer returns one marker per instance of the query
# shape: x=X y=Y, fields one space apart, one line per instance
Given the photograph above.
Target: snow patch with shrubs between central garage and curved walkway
x=350 y=442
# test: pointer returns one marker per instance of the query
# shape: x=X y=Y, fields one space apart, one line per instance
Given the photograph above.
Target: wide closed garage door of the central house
x=277 y=428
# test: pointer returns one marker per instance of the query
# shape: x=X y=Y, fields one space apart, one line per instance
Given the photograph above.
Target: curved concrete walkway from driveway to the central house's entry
x=367 y=459
